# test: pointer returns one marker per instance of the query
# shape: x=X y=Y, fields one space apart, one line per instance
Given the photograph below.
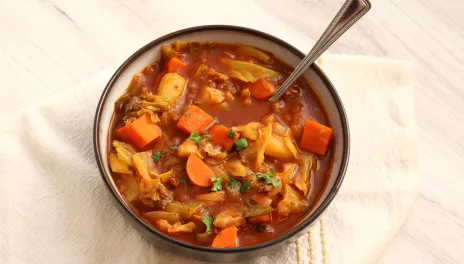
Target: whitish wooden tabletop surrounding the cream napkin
x=49 y=45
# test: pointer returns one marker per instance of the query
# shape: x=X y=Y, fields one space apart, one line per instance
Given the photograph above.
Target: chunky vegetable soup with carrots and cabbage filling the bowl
x=199 y=152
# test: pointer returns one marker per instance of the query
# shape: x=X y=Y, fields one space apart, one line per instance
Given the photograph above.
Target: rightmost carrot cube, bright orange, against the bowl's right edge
x=316 y=137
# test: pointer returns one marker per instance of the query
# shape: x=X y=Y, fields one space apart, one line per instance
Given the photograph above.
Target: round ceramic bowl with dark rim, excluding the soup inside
x=225 y=34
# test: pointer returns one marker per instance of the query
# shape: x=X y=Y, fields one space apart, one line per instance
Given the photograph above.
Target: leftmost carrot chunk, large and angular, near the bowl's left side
x=140 y=133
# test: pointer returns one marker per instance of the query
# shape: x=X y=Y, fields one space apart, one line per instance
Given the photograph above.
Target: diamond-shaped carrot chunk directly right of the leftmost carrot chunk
x=194 y=120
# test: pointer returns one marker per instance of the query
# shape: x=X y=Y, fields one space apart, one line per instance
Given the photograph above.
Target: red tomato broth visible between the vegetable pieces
x=236 y=114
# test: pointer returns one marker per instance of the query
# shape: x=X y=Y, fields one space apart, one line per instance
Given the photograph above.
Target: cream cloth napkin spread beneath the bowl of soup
x=55 y=207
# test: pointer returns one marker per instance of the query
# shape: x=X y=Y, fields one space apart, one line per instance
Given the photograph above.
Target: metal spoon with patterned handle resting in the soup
x=346 y=17
